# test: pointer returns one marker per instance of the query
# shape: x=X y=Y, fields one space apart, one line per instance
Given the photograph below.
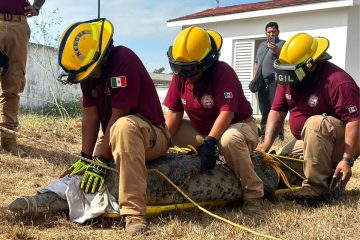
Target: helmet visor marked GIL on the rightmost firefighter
x=290 y=73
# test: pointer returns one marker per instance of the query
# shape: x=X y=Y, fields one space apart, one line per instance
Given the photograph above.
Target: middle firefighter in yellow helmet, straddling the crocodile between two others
x=210 y=93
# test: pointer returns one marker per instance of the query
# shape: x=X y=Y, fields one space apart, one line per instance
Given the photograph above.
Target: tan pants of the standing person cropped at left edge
x=14 y=38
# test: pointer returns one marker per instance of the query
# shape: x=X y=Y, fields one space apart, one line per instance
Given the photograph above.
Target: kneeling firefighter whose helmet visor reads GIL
x=323 y=101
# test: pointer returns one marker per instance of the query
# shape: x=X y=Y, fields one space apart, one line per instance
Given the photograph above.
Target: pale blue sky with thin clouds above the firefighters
x=138 y=24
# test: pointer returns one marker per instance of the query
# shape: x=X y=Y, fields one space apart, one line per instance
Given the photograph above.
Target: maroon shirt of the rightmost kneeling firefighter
x=331 y=91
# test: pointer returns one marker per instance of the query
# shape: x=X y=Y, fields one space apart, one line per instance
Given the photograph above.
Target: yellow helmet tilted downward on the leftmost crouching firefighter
x=82 y=47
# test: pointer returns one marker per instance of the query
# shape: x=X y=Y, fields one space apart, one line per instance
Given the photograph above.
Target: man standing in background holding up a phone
x=268 y=52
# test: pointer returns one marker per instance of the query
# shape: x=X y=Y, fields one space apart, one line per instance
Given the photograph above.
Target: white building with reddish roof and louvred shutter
x=243 y=28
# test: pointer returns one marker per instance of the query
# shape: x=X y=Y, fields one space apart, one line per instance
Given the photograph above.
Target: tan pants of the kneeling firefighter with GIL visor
x=322 y=146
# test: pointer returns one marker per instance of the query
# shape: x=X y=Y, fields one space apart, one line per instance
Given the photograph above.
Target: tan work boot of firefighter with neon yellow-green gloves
x=136 y=225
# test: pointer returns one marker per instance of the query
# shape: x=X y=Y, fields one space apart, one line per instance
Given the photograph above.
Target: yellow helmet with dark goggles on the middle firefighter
x=194 y=49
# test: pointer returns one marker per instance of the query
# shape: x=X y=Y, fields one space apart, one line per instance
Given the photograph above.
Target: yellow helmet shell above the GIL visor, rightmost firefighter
x=302 y=47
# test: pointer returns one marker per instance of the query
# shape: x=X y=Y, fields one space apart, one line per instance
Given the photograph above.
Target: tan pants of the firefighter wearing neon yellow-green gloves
x=134 y=141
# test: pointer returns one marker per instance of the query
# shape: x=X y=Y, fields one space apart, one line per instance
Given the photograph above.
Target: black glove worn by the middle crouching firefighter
x=207 y=152
